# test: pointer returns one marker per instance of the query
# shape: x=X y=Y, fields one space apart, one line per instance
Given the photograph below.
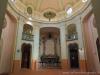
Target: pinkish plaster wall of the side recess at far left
x=8 y=44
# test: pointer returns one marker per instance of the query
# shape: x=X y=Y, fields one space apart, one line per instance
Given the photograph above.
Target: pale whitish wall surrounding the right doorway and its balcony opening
x=77 y=21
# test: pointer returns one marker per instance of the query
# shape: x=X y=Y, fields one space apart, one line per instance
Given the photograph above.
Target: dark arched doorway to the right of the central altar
x=73 y=55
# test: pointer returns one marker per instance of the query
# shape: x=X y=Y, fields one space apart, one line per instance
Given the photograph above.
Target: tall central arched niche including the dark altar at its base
x=50 y=52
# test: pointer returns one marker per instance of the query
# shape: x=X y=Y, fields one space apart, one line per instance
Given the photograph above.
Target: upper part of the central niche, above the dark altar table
x=49 y=41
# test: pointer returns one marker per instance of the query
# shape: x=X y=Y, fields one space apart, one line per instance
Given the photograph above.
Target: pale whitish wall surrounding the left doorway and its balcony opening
x=19 y=42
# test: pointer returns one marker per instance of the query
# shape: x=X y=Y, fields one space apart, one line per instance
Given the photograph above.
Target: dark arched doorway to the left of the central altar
x=26 y=55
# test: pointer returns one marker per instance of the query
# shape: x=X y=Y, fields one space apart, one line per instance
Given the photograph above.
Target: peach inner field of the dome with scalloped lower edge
x=42 y=5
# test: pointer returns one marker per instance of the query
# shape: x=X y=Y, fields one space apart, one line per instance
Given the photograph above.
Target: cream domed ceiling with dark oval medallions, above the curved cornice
x=38 y=8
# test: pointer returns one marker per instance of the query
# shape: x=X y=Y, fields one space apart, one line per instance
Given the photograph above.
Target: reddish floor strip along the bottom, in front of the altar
x=52 y=72
